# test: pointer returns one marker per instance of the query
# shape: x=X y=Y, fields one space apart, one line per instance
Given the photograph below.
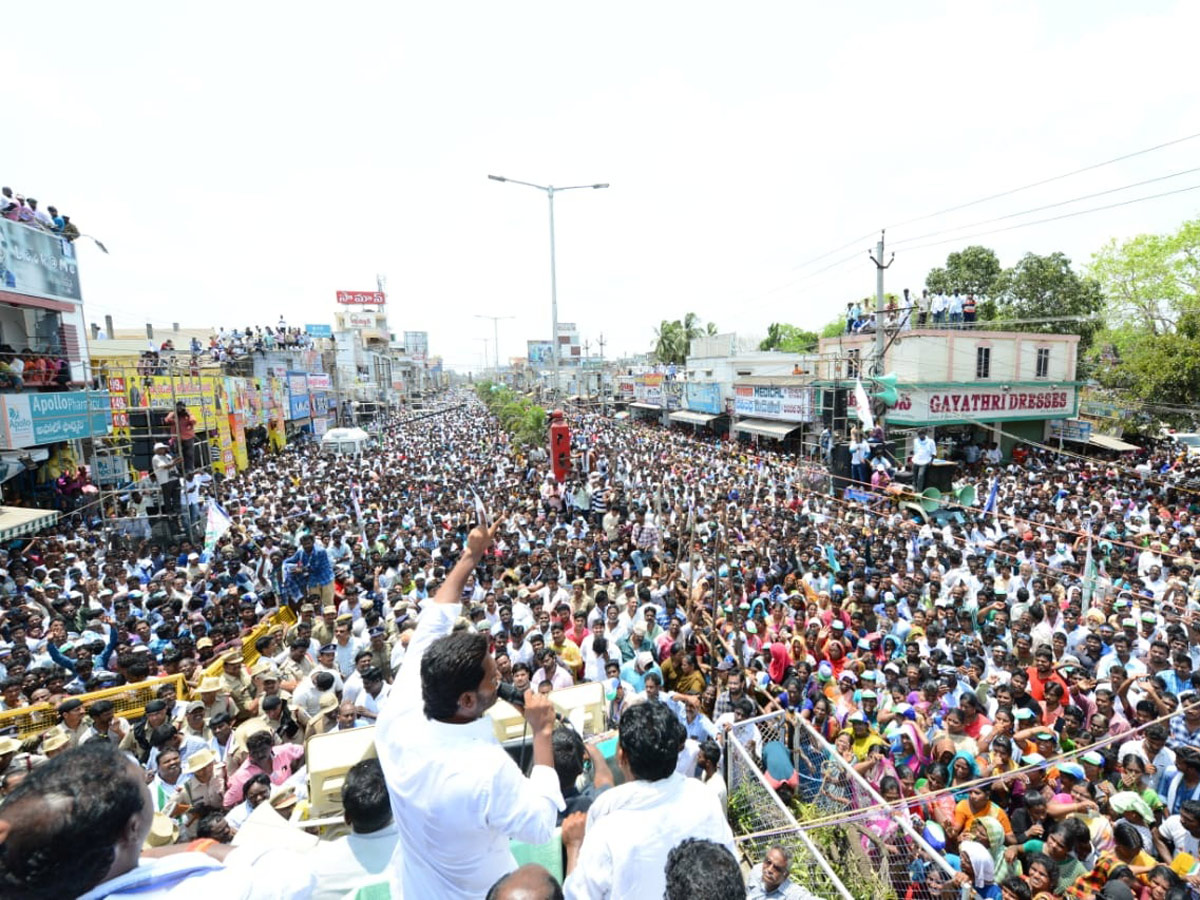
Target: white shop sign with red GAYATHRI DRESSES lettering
x=967 y=404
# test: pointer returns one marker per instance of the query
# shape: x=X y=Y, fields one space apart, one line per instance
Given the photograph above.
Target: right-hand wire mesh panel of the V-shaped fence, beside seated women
x=896 y=853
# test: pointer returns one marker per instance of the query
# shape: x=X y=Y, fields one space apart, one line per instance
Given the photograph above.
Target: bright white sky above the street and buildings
x=248 y=160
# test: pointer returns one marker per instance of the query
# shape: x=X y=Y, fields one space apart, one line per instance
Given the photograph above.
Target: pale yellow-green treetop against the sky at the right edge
x=1153 y=280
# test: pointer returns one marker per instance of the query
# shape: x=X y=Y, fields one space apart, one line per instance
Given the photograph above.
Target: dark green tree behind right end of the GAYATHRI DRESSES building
x=1048 y=289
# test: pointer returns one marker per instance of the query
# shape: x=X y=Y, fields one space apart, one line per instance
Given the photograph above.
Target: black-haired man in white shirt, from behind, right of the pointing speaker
x=632 y=829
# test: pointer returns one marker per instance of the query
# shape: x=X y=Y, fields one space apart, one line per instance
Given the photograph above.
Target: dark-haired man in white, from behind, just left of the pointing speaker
x=361 y=859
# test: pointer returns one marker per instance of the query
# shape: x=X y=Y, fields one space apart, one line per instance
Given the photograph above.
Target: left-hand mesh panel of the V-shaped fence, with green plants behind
x=761 y=821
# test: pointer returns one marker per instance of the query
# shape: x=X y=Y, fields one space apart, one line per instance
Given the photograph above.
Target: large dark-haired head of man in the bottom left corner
x=67 y=845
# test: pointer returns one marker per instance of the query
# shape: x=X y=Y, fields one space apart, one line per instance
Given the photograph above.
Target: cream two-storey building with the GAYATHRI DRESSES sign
x=1003 y=387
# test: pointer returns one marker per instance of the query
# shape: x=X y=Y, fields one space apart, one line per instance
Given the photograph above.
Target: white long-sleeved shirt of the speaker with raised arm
x=457 y=795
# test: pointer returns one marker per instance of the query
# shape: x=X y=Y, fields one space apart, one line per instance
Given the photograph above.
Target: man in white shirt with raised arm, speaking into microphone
x=458 y=797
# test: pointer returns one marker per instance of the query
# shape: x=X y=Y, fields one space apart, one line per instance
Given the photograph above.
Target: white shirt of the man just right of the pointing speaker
x=631 y=831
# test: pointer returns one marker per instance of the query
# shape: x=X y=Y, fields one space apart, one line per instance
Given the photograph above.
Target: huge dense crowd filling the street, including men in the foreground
x=1023 y=686
